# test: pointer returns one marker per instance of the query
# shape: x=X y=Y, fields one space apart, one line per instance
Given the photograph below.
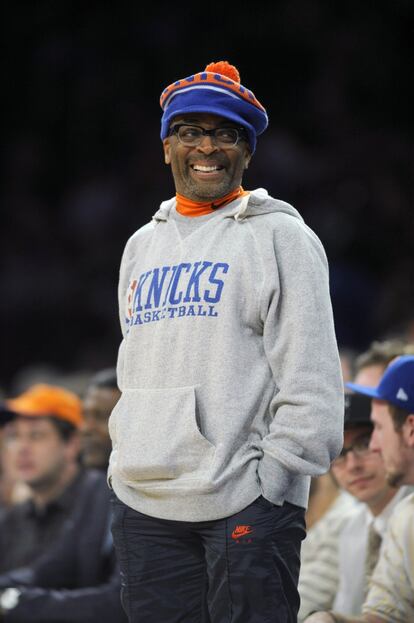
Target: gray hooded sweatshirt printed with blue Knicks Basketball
x=229 y=369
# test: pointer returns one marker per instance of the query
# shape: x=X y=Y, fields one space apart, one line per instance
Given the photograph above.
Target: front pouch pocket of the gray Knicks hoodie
x=158 y=437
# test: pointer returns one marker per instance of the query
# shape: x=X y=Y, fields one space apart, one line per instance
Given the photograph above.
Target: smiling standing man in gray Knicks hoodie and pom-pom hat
x=231 y=386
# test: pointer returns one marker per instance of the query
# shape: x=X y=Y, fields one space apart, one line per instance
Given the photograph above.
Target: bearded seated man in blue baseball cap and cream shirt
x=390 y=597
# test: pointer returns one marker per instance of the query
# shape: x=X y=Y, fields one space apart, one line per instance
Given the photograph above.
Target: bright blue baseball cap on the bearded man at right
x=396 y=385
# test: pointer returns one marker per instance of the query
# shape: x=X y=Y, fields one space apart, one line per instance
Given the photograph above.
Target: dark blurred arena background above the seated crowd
x=82 y=165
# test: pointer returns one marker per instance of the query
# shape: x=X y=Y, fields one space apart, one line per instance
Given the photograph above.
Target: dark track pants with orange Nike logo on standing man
x=241 y=569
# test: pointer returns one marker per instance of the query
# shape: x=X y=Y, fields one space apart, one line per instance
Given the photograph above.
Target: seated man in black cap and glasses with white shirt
x=361 y=472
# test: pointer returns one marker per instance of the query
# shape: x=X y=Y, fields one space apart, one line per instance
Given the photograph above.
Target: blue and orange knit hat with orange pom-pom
x=216 y=90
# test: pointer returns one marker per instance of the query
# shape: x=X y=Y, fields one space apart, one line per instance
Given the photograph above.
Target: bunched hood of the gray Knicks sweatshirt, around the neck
x=256 y=203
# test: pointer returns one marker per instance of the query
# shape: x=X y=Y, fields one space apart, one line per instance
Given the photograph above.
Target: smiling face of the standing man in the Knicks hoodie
x=207 y=171
